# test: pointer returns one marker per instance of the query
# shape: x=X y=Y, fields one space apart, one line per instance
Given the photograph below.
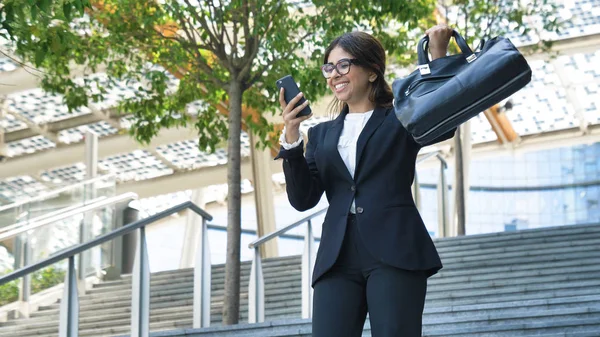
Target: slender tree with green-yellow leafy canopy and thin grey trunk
x=227 y=54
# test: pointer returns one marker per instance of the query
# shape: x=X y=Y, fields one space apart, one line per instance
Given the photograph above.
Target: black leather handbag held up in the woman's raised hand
x=446 y=92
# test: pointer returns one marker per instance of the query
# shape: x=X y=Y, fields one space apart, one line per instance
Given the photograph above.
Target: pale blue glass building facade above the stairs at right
x=553 y=187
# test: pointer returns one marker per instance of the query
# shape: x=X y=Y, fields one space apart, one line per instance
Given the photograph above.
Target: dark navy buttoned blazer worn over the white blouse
x=388 y=220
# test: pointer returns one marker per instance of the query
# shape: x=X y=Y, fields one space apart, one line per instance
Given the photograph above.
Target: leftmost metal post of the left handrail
x=69 y=306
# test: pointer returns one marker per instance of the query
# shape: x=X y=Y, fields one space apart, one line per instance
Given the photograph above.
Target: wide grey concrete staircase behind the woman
x=542 y=282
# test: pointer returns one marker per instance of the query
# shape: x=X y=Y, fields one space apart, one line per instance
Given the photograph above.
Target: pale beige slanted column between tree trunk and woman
x=263 y=197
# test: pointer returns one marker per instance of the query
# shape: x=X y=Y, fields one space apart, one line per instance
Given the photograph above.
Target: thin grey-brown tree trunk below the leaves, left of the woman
x=231 y=304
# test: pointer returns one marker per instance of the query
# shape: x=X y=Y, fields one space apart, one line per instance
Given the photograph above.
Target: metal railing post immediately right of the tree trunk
x=256 y=290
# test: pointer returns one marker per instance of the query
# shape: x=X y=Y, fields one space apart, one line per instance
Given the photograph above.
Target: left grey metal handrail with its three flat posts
x=140 y=310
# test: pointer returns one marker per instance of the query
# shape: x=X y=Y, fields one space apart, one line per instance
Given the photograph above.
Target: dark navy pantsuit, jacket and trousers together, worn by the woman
x=379 y=260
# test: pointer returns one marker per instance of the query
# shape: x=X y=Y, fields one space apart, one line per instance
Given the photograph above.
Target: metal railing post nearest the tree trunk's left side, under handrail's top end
x=202 y=280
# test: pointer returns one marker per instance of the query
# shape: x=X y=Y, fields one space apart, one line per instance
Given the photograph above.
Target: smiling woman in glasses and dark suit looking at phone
x=375 y=254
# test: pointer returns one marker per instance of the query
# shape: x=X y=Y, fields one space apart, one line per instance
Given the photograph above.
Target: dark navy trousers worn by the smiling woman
x=357 y=284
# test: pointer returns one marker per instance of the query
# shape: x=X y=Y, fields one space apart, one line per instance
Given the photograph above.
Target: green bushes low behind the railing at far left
x=40 y=280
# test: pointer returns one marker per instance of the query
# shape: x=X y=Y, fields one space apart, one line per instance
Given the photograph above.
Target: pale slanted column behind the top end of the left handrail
x=193 y=228
